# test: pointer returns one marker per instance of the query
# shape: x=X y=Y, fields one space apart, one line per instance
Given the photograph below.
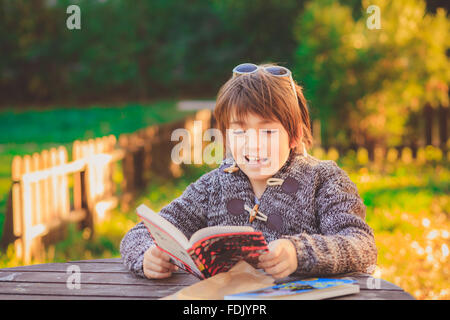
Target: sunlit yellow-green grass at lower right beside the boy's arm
x=408 y=207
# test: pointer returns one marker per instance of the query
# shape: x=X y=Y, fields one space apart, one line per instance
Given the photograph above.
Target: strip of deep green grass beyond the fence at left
x=64 y=125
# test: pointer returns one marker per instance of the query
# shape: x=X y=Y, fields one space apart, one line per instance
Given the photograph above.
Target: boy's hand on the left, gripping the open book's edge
x=156 y=264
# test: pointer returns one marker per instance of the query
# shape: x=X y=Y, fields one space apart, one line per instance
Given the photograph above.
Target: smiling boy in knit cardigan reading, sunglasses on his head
x=309 y=210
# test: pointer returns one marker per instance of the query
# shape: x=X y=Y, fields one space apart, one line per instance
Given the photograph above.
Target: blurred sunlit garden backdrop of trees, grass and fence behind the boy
x=378 y=100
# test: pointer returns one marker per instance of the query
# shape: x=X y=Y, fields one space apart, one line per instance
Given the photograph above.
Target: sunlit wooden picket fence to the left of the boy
x=48 y=191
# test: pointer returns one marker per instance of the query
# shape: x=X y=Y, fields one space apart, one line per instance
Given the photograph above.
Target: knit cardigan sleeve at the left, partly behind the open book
x=187 y=213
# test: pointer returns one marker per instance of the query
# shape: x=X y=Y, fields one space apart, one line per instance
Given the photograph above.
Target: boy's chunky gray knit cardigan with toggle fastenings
x=317 y=207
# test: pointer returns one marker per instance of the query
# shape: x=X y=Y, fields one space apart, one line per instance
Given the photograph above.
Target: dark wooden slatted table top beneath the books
x=109 y=279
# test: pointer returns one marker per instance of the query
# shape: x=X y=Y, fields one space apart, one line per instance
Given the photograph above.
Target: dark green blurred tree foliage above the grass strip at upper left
x=136 y=49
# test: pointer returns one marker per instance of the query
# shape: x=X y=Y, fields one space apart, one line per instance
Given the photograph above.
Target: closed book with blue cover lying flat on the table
x=310 y=289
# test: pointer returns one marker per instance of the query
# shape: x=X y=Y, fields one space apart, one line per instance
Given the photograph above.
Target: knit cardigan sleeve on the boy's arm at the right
x=345 y=243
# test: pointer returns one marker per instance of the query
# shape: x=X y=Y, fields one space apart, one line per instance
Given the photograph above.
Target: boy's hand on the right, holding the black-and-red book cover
x=281 y=260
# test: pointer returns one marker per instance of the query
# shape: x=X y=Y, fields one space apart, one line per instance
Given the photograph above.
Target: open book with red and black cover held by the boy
x=210 y=250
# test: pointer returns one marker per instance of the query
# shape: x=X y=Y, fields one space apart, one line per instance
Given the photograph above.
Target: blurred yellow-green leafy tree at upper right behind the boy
x=364 y=84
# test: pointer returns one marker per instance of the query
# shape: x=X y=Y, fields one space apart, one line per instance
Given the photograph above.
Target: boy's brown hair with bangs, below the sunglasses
x=269 y=97
